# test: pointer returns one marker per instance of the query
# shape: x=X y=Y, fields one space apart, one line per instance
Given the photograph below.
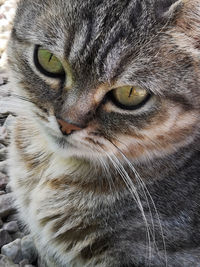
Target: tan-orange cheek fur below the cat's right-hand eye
x=176 y=132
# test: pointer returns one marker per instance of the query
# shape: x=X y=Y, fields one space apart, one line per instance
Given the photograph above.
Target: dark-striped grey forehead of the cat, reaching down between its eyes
x=86 y=30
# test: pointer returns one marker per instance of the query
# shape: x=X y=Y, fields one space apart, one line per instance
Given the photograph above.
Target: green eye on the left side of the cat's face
x=49 y=64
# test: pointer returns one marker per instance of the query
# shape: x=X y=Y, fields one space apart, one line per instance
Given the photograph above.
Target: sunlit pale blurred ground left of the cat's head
x=7 y=12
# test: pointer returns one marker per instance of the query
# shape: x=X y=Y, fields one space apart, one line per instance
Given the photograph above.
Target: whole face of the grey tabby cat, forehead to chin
x=125 y=73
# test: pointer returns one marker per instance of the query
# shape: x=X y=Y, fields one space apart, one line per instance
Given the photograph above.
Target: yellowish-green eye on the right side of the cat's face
x=129 y=97
